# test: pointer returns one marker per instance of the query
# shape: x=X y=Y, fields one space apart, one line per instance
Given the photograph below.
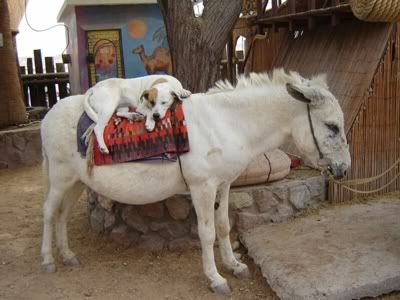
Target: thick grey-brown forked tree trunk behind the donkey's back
x=197 y=44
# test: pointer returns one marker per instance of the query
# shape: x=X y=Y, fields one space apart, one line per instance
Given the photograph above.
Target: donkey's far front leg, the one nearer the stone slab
x=222 y=227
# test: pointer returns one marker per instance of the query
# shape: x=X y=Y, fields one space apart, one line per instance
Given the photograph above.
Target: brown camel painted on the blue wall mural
x=159 y=61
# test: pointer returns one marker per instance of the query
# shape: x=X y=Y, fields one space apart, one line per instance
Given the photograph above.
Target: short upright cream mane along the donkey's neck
x=277 y=77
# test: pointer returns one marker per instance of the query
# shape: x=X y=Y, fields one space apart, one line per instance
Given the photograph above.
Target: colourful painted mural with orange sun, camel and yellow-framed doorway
x=131 y=41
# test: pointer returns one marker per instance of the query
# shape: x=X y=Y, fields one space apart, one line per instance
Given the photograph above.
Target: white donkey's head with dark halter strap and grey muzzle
x=318 y=128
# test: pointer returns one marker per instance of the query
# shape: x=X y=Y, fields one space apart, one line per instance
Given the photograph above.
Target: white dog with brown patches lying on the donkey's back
x=151 y=96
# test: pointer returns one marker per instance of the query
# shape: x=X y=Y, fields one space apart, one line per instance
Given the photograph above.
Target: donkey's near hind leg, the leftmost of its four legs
x=59 y=184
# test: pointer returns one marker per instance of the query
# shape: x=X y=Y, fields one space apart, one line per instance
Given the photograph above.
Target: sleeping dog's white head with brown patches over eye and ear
x=159 y=98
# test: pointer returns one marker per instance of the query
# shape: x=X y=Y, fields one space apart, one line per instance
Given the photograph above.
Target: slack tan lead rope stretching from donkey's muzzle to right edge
x=345 y=184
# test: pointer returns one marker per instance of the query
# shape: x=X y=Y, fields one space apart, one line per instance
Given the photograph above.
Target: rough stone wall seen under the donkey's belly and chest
x=172 y=223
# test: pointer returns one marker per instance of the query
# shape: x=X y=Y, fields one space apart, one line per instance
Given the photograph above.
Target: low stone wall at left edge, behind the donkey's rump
x=20 y=147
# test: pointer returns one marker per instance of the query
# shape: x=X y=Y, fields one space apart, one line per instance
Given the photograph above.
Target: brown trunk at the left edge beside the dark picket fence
x=12 y=108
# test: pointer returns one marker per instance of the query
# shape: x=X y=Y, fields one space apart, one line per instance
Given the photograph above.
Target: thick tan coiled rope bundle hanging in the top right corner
x=376 y=10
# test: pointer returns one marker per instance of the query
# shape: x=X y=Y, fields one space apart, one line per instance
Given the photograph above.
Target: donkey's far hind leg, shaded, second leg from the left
x=68 y=257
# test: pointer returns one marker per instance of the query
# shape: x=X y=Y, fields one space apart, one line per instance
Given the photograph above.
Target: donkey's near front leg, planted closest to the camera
x=203 y=197
